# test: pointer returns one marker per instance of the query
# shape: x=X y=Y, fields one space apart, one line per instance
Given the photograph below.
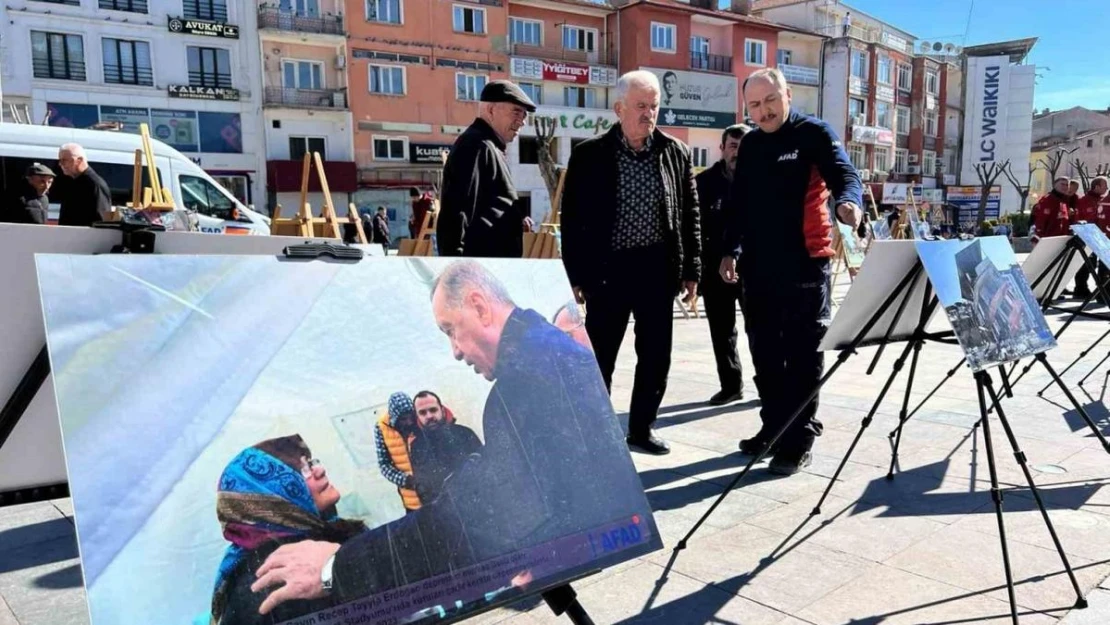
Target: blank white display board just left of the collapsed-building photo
x=886 y=266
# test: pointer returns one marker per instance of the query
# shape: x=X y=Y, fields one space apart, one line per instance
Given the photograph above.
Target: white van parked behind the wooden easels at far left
x=113 y=156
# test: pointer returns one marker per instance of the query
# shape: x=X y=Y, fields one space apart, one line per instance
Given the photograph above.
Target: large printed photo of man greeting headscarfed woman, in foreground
x=251 y=440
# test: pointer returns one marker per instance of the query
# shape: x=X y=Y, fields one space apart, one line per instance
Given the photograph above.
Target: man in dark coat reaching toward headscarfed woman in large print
x=553 y=465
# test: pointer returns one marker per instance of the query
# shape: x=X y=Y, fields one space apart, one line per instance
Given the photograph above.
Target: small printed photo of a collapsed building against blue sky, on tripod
x=987 y=298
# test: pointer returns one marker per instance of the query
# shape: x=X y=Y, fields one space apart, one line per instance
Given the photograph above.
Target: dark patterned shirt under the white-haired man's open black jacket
x=640 y=213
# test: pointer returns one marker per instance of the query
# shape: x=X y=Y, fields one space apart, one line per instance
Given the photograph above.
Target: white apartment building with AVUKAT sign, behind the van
x=187 y=68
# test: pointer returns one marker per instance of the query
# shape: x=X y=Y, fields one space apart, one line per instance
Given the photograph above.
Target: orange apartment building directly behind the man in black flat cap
x=417 y=70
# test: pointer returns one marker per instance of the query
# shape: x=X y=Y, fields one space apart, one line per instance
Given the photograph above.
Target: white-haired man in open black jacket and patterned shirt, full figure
x=631 y=239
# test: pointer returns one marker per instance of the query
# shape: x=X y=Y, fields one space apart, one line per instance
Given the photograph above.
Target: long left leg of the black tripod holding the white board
x=904 y=290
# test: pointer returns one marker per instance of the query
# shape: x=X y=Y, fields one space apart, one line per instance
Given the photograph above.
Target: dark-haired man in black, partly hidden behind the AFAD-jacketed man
x=721 y=298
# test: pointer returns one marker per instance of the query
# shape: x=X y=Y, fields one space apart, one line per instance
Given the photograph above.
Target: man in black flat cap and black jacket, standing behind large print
x=478 y=211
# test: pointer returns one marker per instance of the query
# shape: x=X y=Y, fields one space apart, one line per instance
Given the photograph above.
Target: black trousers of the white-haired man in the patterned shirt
x=641 y=289
